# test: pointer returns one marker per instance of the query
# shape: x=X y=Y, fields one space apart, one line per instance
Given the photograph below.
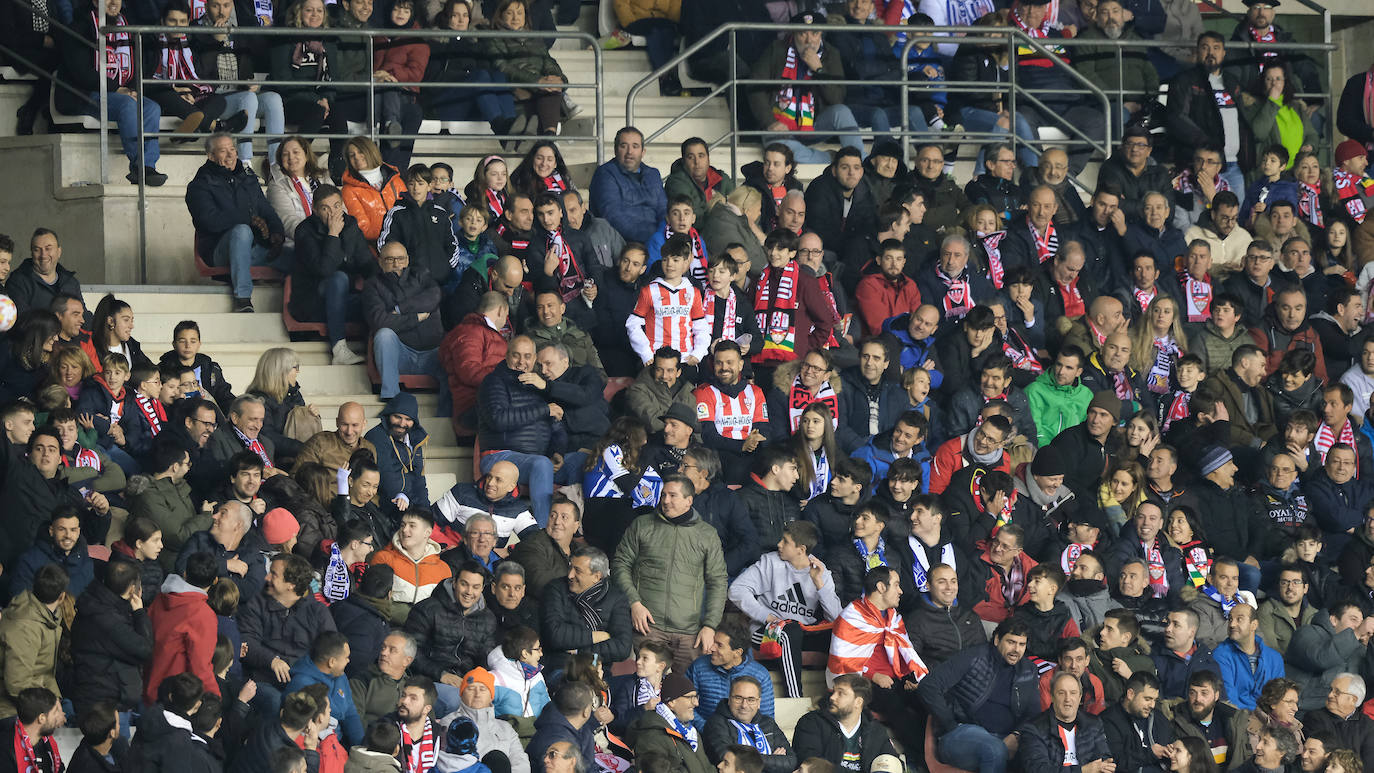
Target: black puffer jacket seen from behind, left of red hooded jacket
x=111 y=643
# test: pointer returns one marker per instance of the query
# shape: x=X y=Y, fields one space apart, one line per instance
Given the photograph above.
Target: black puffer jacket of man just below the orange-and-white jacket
x=451 y=641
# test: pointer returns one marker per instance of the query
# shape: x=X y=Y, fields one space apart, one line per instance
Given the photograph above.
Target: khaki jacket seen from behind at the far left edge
x=30 y=635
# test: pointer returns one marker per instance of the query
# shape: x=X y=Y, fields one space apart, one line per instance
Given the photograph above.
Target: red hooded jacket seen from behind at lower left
x=185 y=631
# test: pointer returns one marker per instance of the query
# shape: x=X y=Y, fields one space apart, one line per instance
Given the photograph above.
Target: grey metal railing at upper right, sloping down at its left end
x=1012 y=91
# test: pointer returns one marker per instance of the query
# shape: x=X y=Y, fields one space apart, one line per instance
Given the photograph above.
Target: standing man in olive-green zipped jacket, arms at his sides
x=682 y=608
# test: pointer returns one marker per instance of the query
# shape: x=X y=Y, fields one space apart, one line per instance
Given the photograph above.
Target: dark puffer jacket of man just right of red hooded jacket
x=273 y=631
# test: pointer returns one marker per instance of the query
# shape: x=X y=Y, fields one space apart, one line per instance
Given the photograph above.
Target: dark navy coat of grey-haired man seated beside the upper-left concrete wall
x=223 y=198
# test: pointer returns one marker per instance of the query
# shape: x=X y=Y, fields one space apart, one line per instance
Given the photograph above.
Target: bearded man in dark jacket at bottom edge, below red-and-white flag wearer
x=844 y=715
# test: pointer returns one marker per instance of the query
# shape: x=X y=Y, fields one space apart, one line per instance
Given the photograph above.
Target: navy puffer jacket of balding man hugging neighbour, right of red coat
x=513 y=417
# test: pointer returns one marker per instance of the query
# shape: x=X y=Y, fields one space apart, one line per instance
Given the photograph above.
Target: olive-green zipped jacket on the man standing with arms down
x=675 y=570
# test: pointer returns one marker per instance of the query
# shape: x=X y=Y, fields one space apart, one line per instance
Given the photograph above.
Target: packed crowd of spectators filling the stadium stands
x=1042 y=481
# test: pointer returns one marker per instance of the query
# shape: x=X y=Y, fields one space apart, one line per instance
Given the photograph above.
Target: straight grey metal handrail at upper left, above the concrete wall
x=138 y=34
